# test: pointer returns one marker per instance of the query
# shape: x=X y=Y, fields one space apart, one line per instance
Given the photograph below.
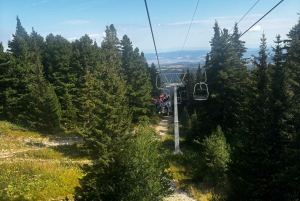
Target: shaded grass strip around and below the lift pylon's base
x=186 y=168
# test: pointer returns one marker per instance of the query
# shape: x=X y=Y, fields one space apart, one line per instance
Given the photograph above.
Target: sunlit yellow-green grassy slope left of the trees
x=31 y=169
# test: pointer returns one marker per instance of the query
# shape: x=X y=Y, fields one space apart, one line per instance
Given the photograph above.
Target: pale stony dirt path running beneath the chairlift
x=177 y=195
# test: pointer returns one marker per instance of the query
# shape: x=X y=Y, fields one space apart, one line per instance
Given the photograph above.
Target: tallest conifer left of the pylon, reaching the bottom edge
x=108 y=129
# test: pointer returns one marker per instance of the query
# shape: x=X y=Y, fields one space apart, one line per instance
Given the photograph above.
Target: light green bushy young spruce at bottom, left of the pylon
x=142 y=170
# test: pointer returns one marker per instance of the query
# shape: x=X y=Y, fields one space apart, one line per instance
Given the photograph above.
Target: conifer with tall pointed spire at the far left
x=19 y=74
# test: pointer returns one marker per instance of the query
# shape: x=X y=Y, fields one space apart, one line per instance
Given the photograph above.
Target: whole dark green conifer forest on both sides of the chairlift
x=242 y=143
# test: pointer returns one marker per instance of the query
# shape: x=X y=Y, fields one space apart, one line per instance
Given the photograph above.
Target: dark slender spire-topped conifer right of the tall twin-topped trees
x=256 y=158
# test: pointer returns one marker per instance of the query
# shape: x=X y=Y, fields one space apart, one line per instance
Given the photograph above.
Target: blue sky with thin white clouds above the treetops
x=170 y=20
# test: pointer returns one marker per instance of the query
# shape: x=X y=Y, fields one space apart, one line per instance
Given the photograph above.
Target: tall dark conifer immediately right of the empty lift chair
x=225 y=77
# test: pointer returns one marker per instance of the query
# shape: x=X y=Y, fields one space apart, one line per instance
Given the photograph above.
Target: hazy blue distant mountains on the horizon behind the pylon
x=188 y=58
